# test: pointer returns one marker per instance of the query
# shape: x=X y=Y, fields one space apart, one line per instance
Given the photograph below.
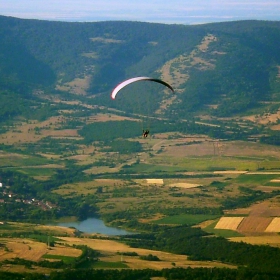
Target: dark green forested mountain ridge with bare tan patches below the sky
x=217 y=65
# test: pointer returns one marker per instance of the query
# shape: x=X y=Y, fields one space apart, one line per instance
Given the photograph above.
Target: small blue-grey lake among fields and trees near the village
x=94 y=225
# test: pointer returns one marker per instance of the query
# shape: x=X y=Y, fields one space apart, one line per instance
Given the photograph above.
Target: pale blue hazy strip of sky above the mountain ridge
x=162 y=11
